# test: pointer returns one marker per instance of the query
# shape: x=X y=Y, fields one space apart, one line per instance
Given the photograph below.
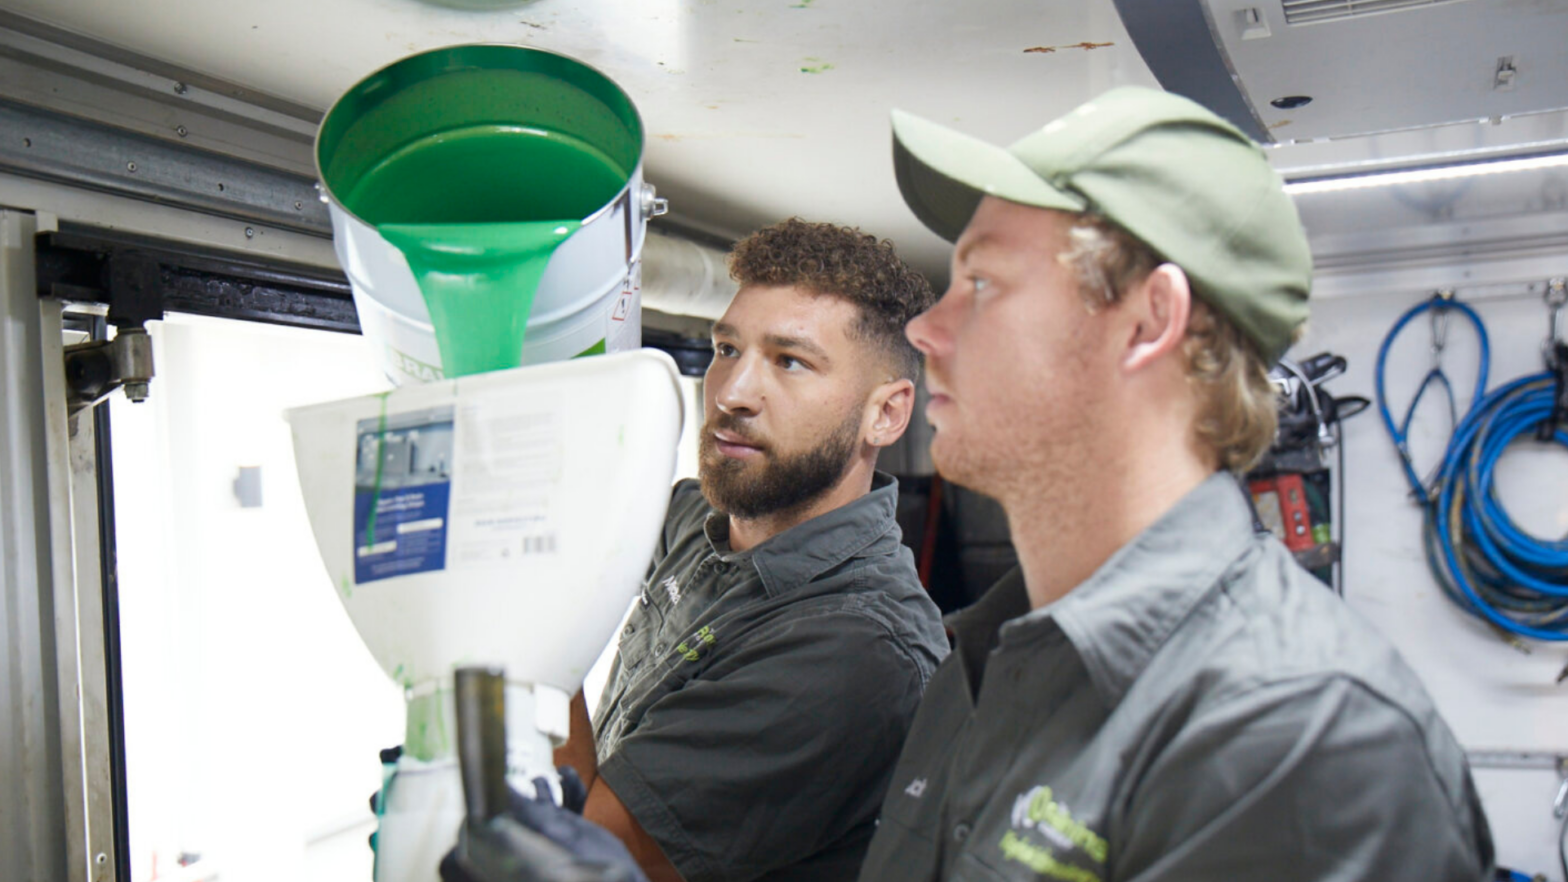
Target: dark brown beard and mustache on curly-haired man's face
x=774 y=484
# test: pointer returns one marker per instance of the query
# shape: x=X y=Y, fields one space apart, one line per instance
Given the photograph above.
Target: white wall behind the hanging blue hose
x=1494 y=696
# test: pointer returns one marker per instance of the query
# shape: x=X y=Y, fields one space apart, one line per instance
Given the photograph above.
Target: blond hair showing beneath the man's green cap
x=1238 y=407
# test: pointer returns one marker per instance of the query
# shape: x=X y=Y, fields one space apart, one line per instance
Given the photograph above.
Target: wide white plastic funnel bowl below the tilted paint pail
x=515 y=512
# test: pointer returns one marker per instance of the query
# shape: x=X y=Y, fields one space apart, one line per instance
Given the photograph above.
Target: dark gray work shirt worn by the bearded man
x=758 y=699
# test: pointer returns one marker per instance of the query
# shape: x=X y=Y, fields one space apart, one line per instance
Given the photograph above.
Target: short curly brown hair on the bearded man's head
x=843 y=263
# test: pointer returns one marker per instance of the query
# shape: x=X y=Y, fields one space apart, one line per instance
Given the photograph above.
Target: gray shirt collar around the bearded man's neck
x=815 y=547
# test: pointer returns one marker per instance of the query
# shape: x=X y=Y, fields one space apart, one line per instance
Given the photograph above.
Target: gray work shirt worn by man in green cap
x=1199 y=710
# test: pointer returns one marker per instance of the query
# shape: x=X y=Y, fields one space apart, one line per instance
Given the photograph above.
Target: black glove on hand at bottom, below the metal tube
x=540 y=842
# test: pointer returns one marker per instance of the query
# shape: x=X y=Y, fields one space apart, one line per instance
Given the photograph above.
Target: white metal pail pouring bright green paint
x=445 y=175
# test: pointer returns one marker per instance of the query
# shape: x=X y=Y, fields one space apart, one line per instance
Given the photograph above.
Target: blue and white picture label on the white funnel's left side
x=402 y=494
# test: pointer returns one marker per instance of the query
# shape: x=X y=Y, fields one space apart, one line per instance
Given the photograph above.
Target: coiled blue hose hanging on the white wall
x=1478 y=553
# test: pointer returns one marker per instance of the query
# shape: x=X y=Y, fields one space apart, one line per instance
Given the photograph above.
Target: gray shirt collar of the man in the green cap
x=1125 y=613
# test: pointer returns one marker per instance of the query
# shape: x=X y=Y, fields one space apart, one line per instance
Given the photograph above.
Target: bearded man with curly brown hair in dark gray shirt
x=769 y=674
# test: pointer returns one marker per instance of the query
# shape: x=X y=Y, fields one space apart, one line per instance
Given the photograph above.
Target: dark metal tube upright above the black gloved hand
x=482 y=742
